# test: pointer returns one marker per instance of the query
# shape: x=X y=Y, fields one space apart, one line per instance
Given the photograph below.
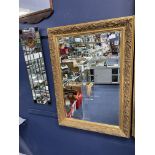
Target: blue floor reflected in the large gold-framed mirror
x=102 y=106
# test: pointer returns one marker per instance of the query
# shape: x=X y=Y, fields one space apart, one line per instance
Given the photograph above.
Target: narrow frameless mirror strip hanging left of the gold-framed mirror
x=31 y=44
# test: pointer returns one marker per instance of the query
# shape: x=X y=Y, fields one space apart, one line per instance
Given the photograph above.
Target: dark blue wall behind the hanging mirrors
x=41 y=134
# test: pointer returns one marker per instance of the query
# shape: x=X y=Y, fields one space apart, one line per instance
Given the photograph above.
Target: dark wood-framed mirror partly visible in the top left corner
x=34 y=11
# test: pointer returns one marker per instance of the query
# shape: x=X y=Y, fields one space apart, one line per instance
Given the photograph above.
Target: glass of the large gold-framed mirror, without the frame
x=90 y=66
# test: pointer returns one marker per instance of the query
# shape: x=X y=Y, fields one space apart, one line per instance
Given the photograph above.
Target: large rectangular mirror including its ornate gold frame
x=122 y=28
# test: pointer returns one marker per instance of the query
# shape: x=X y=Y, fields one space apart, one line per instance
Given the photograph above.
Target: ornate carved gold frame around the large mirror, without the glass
x=126 y=26
